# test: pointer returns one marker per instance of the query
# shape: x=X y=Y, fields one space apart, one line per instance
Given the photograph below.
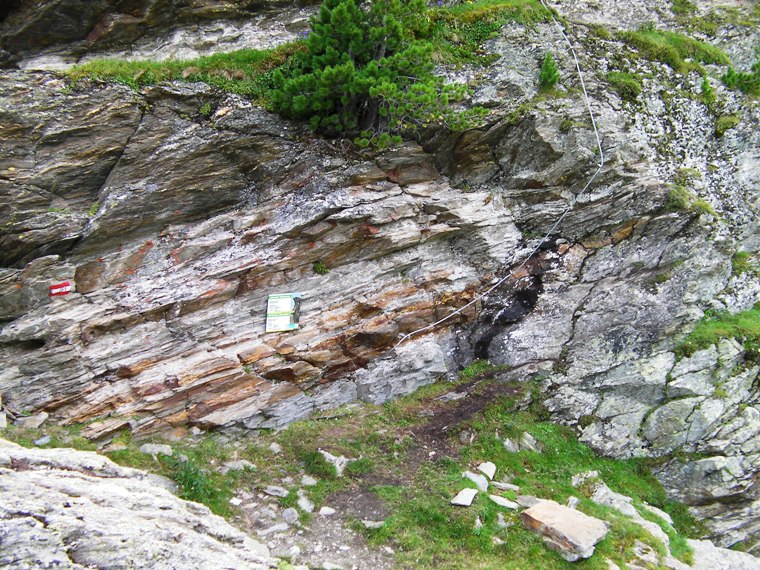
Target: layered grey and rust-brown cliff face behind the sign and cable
x=174 y=227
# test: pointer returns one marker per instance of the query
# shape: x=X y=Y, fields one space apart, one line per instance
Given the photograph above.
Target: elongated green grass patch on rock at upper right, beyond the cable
x=673 y=49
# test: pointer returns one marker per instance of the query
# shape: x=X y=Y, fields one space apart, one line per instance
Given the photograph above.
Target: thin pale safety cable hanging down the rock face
x=600 y=166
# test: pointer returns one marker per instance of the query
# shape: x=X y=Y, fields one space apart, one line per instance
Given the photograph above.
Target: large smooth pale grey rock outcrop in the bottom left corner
x=63 y=508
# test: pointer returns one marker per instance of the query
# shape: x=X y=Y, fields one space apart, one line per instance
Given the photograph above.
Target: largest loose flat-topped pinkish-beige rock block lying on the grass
x=568 y=531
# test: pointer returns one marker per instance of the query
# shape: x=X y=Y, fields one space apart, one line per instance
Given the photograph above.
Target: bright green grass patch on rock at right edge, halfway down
x=743 y=326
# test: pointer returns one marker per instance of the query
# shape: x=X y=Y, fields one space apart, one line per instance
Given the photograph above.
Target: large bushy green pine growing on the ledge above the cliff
x=365 y=73
